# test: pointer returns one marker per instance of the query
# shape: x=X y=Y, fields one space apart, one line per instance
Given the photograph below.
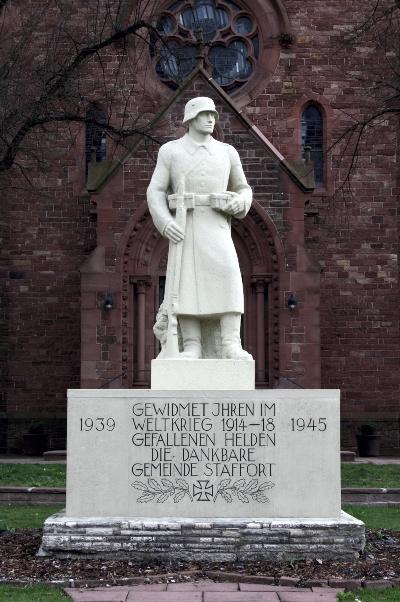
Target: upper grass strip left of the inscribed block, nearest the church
x=32 y=475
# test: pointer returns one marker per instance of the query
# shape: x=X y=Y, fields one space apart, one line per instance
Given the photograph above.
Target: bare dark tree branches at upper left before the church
x=58 y=79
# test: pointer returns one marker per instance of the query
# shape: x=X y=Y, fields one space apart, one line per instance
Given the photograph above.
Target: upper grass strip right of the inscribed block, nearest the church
x=370 y=475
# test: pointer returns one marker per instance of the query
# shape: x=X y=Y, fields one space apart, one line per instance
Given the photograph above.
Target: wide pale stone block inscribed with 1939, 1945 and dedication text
x=192 y=454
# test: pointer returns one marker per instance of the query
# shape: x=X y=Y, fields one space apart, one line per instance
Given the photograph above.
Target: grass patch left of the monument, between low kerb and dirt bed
x=25 y=517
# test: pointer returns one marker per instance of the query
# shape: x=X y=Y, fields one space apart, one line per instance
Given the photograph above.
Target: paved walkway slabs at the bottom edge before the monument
x=204 y=591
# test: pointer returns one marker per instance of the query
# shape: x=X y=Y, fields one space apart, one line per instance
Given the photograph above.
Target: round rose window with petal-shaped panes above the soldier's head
x=226 y=33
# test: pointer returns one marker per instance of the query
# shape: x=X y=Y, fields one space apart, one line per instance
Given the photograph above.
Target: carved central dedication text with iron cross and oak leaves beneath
x=203 y=451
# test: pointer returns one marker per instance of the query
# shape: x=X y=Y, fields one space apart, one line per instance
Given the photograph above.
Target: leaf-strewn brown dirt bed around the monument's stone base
x=18 y=561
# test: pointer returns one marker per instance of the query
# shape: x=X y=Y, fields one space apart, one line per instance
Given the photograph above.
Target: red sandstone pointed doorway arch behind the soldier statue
x=141 y=263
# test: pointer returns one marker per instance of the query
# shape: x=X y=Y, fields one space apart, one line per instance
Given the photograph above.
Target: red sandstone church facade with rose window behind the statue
x=84 y=268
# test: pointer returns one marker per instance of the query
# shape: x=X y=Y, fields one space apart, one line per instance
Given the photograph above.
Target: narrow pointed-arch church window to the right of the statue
x=312 y=137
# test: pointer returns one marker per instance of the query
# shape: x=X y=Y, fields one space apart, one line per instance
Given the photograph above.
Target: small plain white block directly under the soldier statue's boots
x=200 y=375
